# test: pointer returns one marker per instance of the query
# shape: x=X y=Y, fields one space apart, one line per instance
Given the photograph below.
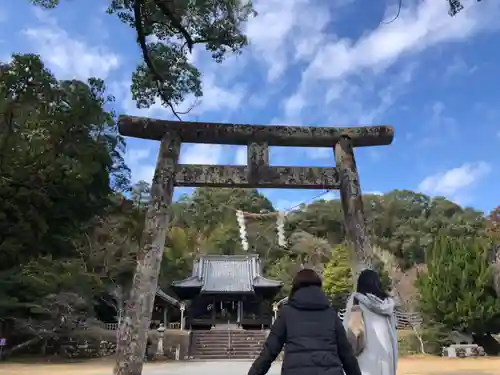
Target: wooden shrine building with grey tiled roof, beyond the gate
x=227 y=290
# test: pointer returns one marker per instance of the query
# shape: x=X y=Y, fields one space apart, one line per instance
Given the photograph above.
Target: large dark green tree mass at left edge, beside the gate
x=62 y=173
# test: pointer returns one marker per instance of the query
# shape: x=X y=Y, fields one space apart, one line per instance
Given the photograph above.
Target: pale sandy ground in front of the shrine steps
x=407 y=366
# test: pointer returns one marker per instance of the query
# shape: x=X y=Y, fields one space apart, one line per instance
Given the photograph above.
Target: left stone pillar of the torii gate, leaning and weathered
x=133 y=331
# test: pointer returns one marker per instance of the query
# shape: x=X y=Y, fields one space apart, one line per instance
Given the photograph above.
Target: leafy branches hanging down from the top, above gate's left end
x=167 y=32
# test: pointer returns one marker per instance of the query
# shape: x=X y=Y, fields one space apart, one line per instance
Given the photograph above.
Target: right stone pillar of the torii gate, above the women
x=352 y=205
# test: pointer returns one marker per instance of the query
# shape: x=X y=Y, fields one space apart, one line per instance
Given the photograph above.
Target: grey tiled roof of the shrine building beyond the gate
x=227 y=274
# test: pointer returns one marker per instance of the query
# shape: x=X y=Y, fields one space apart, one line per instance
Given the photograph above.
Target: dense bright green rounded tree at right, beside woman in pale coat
x=457 y=289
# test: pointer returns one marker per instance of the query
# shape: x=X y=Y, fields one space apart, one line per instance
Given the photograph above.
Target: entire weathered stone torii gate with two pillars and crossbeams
x=256 y=174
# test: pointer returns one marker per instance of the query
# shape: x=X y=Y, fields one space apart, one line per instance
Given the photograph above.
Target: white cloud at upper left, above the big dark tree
x=69 y=57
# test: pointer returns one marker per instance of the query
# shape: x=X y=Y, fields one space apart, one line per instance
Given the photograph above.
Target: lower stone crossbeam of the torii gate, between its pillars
x=270 y=177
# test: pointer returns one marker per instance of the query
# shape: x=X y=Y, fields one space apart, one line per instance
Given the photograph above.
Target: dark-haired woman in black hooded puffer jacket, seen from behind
x=312 y=333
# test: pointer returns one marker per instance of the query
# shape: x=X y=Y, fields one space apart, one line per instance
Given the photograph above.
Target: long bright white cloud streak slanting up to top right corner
x=420 y=25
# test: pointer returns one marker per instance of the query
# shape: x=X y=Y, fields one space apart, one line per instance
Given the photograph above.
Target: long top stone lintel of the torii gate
x=237 y=134
